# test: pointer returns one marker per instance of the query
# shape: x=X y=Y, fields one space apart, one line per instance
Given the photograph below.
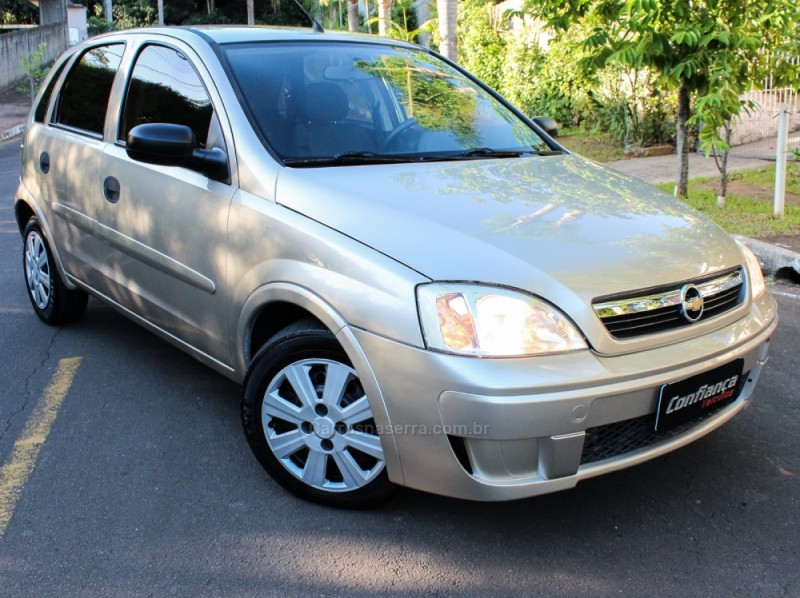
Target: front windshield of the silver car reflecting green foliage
x=328 y=103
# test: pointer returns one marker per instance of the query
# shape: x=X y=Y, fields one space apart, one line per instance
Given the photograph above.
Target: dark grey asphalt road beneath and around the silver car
x=145 y=486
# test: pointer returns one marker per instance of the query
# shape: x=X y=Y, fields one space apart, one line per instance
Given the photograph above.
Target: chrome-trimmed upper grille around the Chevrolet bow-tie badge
x=650 y=311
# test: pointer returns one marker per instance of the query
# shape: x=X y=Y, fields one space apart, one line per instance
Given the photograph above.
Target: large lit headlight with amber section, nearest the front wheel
x=471 y=319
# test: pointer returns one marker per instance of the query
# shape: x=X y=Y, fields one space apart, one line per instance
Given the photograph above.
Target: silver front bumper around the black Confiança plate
x=502 y=429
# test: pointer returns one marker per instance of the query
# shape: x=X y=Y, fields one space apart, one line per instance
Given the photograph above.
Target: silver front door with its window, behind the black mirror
x=165 y=227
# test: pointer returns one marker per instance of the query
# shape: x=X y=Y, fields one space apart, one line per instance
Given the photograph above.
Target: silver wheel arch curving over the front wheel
x=291 y=302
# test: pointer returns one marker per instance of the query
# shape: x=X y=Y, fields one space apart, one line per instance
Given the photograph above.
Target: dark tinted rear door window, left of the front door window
x=84 y=97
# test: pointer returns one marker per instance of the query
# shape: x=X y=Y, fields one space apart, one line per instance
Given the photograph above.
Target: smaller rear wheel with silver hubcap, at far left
x=52 y=301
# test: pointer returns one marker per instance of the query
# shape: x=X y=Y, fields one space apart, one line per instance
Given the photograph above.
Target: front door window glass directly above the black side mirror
x=165 y=88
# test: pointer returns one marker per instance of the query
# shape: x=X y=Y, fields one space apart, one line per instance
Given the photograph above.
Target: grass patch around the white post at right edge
x=749 y=209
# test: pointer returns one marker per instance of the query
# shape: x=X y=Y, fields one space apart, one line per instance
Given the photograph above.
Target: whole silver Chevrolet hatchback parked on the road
x=414 y=283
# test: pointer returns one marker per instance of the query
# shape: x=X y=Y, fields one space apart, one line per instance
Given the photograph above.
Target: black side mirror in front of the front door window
x=168 y=144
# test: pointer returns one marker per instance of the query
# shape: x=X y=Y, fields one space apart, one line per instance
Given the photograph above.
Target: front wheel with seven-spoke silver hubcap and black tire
x=309 y=423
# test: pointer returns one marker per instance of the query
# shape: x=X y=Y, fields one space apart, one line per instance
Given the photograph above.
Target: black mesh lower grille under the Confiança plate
x=619 y=438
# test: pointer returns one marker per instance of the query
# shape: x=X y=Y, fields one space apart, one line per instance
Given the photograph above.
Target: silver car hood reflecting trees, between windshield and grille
x=562 y=227
